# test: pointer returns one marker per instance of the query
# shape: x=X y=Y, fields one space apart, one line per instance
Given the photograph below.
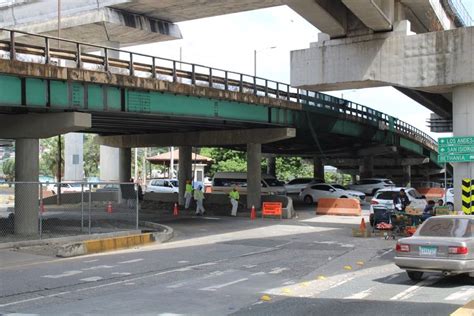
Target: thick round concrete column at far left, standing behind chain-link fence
x=26 y=195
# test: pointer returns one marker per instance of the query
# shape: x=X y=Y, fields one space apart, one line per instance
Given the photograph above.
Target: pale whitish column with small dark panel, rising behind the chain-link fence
x=74 y=157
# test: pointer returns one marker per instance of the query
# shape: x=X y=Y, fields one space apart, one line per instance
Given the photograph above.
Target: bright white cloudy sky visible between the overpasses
x=228 y=42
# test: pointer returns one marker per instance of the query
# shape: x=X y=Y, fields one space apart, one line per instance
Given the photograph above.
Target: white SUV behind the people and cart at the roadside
x=384 y=197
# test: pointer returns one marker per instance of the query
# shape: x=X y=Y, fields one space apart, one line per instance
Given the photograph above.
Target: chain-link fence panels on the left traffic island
x=34 y=210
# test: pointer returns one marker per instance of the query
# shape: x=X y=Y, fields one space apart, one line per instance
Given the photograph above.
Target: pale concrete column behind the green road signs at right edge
x=463 y=118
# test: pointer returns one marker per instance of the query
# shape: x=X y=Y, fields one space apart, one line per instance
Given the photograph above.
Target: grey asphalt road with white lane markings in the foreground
x=218 y=266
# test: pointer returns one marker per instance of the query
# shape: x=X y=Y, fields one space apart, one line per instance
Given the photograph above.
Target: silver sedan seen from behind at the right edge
x=442 y=244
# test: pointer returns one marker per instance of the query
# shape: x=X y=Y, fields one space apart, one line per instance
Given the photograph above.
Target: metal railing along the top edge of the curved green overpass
x=63 y=52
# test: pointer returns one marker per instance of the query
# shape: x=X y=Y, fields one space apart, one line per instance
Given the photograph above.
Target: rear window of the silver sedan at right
x=447 y=227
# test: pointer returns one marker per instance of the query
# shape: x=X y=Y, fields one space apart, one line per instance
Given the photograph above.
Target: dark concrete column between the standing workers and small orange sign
x=254 y=175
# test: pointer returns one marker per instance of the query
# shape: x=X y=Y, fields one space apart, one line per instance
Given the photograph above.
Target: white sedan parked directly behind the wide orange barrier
x=314 y=192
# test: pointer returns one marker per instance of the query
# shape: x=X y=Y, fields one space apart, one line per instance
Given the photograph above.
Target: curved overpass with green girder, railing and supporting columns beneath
x=143 y=104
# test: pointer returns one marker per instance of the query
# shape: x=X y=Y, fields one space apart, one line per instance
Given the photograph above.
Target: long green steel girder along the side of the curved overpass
x=36 y=94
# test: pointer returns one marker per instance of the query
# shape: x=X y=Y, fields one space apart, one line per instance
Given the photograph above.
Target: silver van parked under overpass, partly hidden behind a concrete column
x=224 y=181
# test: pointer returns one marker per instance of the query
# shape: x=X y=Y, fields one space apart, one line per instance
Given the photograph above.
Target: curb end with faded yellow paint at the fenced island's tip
x=101 y=244
